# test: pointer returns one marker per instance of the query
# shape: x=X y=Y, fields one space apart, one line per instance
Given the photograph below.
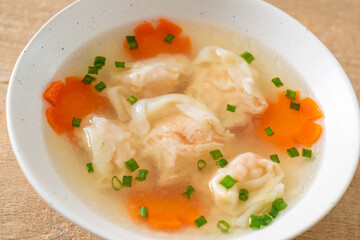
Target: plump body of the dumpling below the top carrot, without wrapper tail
x=154 y=76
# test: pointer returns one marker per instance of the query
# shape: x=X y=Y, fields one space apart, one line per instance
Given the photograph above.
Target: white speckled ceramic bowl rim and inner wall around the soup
x=63 y=34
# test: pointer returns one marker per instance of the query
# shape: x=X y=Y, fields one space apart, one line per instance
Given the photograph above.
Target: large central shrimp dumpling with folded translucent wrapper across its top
x=176 y=130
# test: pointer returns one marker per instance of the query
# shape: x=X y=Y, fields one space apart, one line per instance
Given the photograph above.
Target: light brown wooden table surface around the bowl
x=24 y=215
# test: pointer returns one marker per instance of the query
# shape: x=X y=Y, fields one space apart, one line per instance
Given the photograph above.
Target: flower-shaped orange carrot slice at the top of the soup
x=151 y=40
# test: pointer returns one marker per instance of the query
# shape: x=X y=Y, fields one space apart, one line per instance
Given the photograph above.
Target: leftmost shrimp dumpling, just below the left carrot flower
x=109 y=145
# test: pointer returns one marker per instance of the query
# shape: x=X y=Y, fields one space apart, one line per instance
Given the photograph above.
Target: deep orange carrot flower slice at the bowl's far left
x=69 y=100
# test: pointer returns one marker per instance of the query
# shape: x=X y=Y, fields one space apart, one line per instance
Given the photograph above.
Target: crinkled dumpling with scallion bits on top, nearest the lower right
x=261 y=177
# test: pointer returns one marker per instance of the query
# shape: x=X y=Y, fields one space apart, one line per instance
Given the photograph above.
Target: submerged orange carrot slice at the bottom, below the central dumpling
x=168 y=209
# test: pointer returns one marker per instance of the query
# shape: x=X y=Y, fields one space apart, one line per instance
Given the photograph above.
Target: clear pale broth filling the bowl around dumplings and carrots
x=70 y=160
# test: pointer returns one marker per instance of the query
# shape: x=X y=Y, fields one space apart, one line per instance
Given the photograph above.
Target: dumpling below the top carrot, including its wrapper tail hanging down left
x=151 y=77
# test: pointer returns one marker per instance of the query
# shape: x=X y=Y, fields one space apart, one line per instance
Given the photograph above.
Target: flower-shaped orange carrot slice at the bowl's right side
x=291 y=126
